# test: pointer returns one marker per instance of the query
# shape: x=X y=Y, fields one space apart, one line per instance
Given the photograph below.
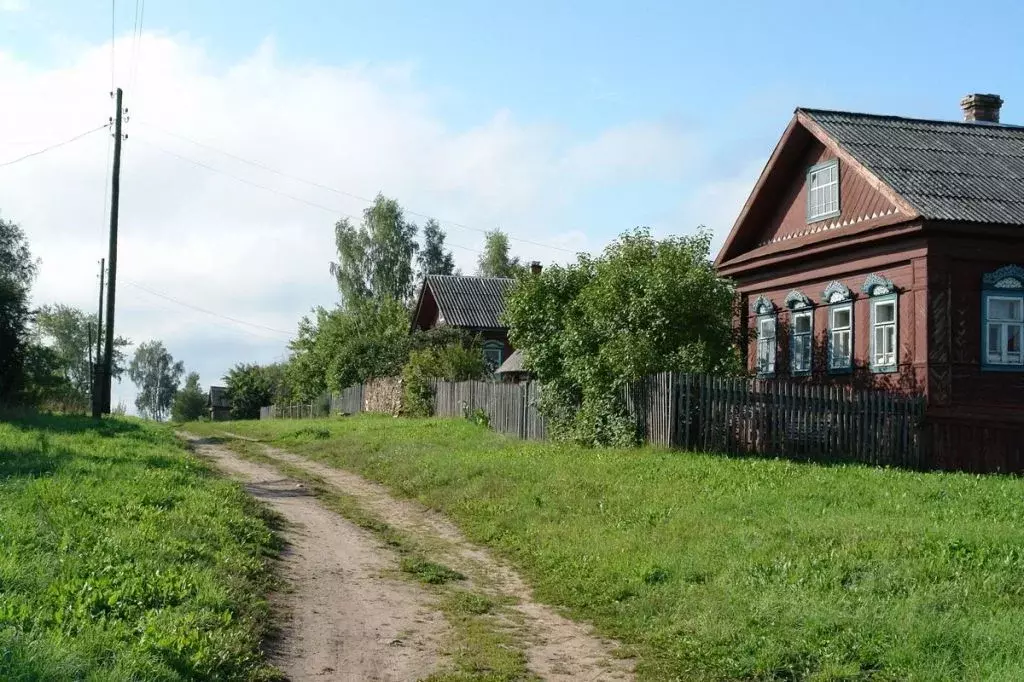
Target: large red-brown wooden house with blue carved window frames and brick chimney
x=888 y=252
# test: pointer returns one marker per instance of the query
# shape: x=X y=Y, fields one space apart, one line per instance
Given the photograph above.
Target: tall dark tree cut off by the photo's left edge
x=18 y=271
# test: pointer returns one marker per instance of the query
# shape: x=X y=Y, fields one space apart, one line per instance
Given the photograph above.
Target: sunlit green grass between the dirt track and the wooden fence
x=723 y=569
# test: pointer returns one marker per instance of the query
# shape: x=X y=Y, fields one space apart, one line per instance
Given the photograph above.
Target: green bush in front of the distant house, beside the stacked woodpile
x=461 y=361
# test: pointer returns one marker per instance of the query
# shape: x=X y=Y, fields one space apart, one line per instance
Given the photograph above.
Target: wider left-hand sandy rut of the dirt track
x=349 y=621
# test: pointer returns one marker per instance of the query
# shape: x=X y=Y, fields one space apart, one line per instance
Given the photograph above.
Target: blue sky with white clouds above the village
x=254 y=126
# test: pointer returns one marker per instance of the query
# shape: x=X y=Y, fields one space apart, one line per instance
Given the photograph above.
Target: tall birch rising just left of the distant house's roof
x=375 y=262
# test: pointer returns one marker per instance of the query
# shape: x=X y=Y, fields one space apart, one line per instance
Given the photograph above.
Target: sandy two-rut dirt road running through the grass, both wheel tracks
x=348 y=614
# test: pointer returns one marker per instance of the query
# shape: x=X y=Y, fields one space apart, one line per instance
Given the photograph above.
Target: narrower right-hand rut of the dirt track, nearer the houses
x=558 y=649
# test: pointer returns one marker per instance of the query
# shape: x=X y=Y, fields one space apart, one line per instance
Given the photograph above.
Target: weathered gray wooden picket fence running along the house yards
x=770 y=418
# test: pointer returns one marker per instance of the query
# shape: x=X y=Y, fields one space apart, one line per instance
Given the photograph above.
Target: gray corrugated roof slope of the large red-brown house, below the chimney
x=972 y=173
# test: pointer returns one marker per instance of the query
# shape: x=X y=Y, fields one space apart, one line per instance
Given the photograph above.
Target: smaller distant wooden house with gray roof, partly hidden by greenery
x=474 y=304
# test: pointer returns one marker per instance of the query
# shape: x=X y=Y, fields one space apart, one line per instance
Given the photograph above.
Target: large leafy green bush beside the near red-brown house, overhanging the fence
x=644 y=307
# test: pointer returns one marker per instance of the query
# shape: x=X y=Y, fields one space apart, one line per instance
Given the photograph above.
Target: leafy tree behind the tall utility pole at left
x=66 y=330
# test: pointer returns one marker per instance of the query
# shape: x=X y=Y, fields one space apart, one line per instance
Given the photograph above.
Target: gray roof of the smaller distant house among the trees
x=470 y=302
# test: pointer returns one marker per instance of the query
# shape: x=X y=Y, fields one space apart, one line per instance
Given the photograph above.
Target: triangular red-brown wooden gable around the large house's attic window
x=775 y=221
